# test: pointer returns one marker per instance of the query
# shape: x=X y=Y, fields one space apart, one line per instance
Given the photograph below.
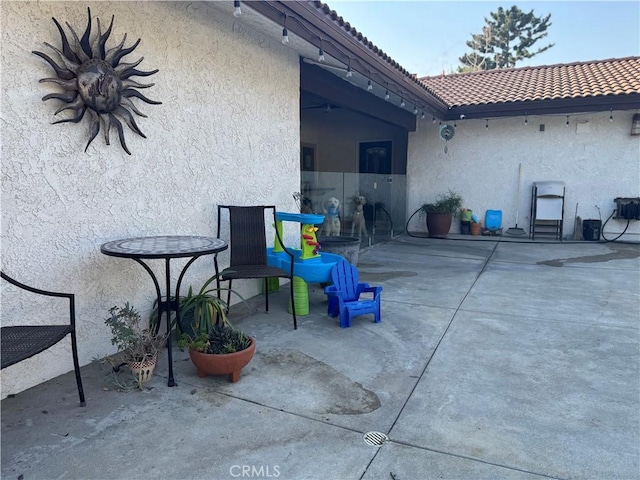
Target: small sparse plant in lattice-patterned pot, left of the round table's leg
x=139 y=344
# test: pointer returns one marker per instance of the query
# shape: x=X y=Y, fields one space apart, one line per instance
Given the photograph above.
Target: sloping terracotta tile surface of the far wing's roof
x=564 y=81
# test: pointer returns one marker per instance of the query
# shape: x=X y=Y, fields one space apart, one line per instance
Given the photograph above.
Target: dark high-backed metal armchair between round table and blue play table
x=248 y=245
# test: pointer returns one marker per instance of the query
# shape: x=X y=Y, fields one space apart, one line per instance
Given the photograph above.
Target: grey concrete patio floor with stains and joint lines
x=494 y=359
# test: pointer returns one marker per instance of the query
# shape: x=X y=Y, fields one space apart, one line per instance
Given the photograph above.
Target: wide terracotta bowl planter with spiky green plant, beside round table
x=215 y=346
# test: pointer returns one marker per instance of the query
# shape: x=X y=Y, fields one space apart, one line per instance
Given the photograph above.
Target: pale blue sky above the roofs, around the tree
x=427 y=37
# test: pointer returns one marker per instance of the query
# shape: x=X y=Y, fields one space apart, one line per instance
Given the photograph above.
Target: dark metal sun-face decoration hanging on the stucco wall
x=95 y=81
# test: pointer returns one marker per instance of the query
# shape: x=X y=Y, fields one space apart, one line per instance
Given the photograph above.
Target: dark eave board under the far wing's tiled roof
x=569 y=106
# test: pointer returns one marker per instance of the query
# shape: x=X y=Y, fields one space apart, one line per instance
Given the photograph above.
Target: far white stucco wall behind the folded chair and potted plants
x=597 y=159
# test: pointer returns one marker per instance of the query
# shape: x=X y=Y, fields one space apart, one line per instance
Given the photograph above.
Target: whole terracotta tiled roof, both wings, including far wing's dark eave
x=600 y=81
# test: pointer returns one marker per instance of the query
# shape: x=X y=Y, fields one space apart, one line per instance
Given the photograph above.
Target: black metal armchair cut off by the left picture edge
x=25 y=341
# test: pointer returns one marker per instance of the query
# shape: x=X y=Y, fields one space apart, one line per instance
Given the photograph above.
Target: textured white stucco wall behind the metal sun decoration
x=226 y=132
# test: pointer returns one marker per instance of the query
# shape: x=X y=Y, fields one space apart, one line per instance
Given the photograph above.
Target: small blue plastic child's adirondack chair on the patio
x=344 y=295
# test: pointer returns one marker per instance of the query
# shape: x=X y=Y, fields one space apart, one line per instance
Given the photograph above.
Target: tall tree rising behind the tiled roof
x=506 y=39
